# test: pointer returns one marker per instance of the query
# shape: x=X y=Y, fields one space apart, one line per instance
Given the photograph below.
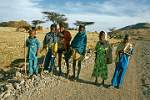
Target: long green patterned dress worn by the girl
x=100 y=66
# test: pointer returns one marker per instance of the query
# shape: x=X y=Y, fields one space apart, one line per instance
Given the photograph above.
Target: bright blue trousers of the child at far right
x=120 y=70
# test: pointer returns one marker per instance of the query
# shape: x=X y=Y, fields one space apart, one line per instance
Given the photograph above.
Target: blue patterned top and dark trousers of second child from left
x=49 y=39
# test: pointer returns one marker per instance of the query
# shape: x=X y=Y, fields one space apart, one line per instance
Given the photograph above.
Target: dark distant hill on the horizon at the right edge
x=137 y=26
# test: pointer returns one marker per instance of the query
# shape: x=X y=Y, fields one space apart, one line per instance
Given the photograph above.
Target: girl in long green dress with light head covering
x=100 y=67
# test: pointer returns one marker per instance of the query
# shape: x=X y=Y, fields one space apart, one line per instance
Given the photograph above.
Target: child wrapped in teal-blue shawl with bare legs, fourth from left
x=79 y=44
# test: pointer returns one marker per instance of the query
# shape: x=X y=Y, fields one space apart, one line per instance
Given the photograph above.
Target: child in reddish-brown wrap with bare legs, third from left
x=64 y=47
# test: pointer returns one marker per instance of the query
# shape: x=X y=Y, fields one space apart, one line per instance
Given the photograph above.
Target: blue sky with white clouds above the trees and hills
x=105 y=13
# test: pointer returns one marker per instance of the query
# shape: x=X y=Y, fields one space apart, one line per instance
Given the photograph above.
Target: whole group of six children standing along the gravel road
x=59 y=43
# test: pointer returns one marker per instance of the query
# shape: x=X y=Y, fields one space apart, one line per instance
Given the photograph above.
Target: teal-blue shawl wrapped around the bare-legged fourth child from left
x=79 y=43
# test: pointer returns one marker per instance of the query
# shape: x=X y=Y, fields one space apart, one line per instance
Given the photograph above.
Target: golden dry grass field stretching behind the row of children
x=12 y=44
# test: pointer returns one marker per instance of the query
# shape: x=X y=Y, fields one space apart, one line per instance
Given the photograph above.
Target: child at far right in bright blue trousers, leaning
x=123 y=52
